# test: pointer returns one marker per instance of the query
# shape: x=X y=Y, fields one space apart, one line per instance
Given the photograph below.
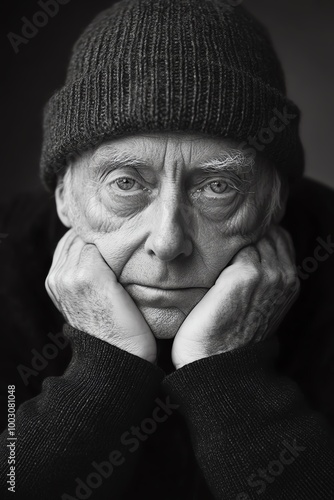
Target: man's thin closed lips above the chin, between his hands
x=156 y=296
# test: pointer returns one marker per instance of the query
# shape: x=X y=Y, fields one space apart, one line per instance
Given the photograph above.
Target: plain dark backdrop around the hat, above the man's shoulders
x=302 y=31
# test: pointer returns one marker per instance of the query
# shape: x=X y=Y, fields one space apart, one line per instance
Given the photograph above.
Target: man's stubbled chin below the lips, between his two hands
x=164 y=322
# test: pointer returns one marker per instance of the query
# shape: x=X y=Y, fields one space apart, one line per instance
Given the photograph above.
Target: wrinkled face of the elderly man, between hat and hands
x=167 y=212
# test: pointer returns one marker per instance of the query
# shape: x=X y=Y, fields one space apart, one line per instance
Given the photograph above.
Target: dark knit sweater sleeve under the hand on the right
x=252 y=432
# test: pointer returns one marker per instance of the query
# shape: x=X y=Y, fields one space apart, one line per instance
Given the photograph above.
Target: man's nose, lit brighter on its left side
x=169 y=237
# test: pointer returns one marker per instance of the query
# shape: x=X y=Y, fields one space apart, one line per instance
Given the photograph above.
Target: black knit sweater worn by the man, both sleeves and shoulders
x=251 y=423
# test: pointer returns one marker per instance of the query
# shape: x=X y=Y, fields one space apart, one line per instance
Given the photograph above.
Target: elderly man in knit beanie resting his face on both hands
x=171 y=151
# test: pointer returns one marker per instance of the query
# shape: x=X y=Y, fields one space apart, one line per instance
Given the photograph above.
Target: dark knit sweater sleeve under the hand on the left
x=71 y=440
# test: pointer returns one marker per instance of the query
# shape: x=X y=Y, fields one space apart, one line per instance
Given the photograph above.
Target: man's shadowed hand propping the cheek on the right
x=246 y=304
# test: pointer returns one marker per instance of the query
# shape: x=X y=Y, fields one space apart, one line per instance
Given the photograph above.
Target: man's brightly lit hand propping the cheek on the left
x=86 y=291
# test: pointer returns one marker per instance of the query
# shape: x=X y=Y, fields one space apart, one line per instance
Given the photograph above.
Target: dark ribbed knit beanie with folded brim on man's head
x=173 y=65
